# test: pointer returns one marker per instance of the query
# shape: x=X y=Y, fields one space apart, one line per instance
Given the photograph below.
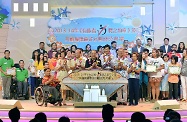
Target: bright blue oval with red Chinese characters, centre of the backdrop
x=93 y=31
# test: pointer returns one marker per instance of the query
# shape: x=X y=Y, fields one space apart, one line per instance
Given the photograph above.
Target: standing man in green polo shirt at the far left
x=6 y=63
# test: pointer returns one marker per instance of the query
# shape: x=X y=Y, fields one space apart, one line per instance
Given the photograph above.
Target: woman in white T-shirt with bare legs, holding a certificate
x=155 y=76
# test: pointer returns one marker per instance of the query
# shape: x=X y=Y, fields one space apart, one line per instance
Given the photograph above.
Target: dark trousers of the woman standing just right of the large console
x=133 y=90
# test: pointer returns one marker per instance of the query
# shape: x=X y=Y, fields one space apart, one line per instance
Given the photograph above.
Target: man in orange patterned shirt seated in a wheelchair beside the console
x=50 y=83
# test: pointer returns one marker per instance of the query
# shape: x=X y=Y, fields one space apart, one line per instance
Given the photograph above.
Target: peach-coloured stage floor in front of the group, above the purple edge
x=30 y=105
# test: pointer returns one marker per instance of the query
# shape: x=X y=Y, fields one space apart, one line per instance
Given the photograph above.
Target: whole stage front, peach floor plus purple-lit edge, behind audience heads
x=89 y=114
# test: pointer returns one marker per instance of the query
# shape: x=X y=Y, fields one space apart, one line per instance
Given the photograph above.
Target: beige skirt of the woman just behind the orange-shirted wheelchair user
x=60 y=76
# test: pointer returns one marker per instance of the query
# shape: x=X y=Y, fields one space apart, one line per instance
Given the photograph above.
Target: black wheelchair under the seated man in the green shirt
x=14 y=91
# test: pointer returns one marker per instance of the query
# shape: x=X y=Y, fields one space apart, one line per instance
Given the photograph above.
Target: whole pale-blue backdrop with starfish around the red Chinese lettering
x=82 y=26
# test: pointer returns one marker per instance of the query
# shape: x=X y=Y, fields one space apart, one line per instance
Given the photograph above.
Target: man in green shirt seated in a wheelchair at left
x=21 y=77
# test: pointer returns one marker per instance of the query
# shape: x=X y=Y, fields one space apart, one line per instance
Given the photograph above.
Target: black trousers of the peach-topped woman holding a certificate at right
x=173 y=90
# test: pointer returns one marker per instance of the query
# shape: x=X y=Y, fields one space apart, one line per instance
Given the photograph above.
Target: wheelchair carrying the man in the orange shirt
x=43 y=96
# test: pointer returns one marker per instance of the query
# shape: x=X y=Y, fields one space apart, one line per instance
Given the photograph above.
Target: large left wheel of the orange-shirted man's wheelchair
x=39 y=96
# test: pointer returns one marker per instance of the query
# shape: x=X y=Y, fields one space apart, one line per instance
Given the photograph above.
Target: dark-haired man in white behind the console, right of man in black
x=107 y=59
